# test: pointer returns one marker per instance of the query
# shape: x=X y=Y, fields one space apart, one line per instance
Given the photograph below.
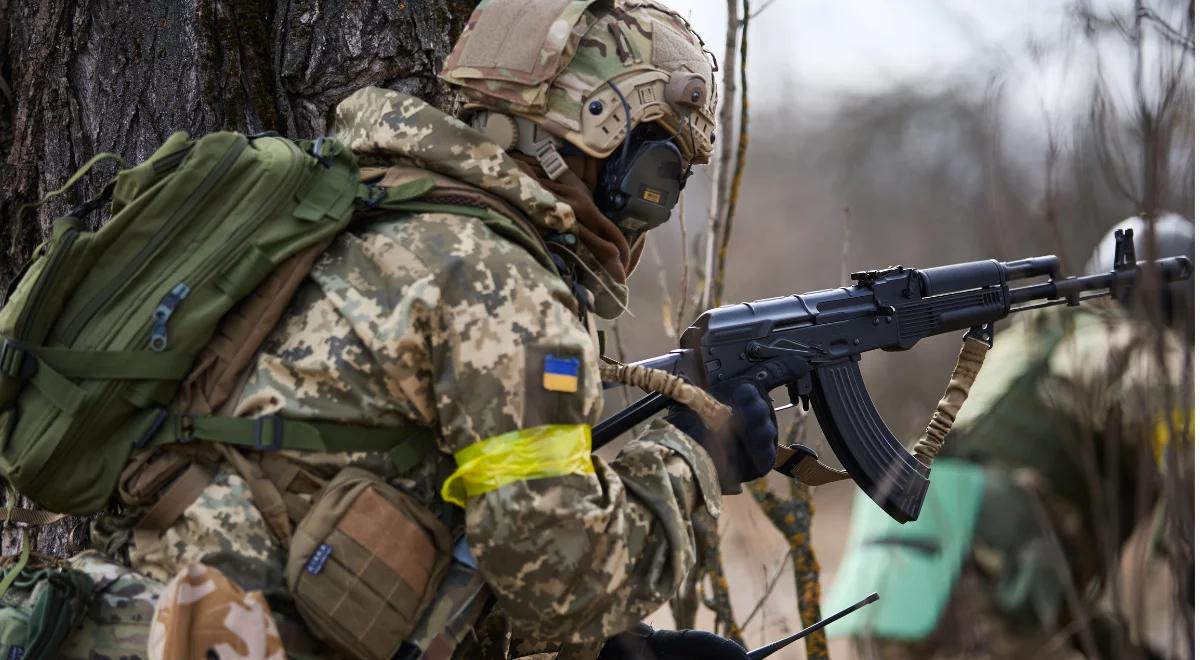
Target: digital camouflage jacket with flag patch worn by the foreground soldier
x=433 y=319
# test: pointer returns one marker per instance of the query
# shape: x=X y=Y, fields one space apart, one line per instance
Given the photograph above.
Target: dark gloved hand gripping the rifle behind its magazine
x=745 y=449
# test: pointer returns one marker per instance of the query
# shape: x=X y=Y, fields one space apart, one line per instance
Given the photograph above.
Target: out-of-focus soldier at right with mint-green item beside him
x=1046 y=476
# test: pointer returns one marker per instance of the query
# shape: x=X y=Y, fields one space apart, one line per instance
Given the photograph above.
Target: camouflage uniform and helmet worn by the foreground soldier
x=434 y=319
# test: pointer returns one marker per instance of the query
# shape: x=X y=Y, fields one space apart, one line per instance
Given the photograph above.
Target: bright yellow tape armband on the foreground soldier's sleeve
x=537 y=453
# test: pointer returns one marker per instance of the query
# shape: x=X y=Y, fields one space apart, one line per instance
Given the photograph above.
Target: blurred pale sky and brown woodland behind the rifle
x=917 y=134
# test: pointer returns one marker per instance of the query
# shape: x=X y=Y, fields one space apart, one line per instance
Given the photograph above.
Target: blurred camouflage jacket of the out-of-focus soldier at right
x=1075 y=406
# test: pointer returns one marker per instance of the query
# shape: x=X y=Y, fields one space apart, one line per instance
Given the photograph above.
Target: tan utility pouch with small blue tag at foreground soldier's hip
x=364 y=563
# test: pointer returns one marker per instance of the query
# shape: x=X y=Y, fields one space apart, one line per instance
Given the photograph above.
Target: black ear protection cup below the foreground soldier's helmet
x=639 y=188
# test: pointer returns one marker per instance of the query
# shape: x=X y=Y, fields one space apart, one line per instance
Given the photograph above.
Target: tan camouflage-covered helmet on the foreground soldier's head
x=560 y=64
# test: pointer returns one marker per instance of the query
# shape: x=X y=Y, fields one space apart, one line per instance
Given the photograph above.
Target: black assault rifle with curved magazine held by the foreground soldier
x=812 y=345
